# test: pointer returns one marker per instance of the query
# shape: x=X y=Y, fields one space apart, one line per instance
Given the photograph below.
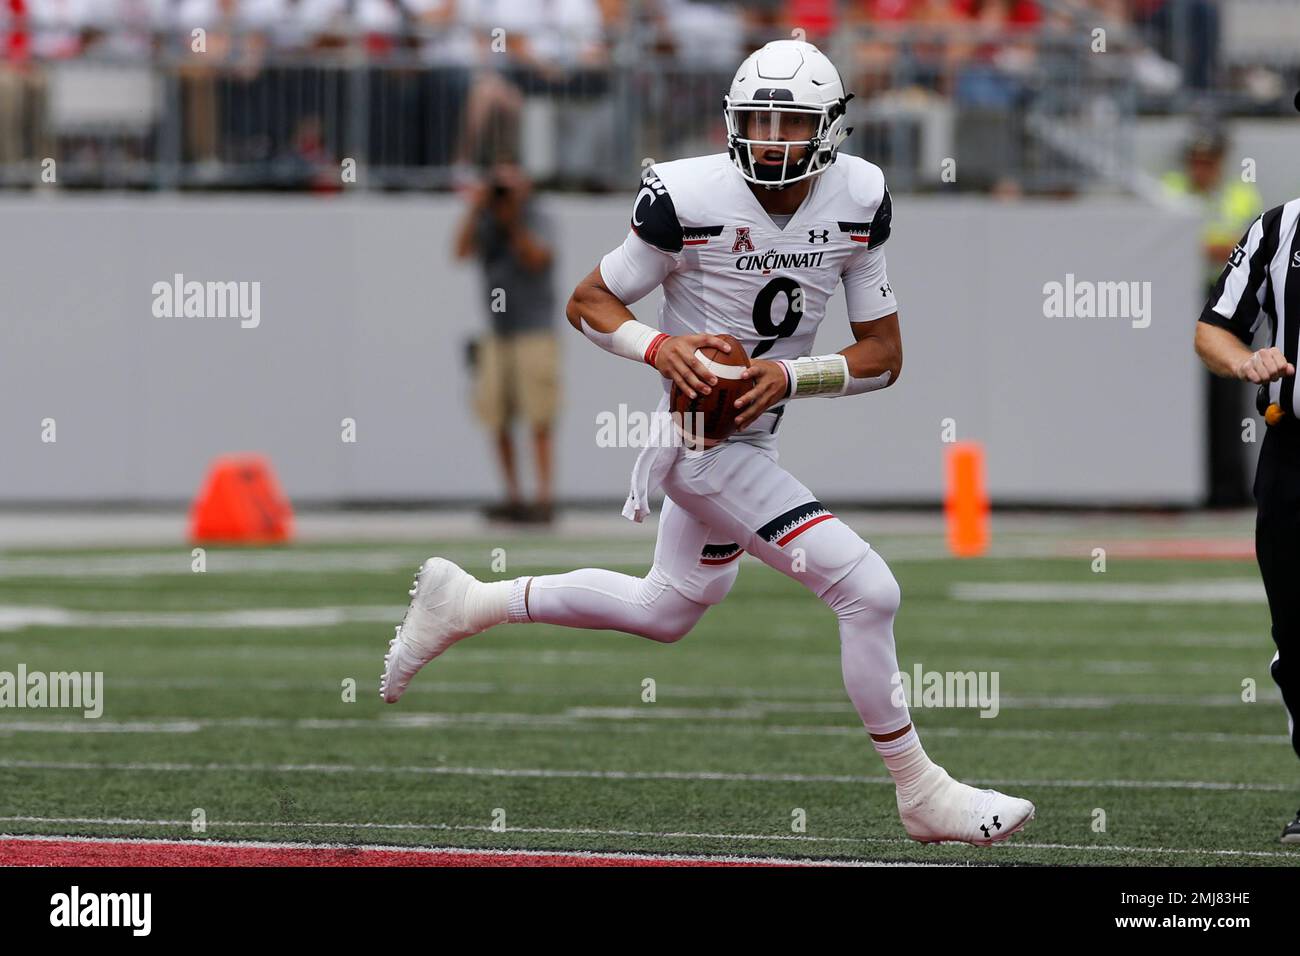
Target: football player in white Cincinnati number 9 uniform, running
x=752 y=243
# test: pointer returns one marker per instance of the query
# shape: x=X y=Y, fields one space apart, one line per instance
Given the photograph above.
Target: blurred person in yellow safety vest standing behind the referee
x=1229 y=205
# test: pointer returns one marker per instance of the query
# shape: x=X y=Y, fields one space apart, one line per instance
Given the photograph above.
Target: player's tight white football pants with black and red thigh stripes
x=736 y=499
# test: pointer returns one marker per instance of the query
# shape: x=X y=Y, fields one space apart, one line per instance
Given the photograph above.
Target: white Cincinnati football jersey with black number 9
x=726 y=267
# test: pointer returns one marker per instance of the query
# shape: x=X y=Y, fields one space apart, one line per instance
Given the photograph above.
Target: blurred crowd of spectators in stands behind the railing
x=448 y=81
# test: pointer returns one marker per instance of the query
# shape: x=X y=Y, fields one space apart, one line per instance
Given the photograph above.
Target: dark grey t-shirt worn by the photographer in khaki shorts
x=527 y=302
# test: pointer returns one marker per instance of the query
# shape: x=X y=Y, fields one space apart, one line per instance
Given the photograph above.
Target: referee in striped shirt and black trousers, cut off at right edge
x=1263 y=282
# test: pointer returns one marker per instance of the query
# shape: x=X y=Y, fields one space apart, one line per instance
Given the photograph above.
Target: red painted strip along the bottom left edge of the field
x=66 y=851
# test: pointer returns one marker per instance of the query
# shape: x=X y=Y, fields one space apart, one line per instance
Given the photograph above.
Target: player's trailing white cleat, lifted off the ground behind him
x=435 y=621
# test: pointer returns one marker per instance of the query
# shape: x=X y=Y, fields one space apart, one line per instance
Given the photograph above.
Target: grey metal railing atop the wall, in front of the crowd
x=1021 y=113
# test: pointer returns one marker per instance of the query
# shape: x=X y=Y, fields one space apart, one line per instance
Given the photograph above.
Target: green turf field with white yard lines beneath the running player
x=1120 y=695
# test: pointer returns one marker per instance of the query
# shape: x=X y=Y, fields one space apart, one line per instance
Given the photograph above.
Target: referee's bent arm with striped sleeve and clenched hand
x=1232 y=314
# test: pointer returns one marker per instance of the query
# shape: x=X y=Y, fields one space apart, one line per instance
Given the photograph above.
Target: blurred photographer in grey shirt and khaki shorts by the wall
x=517 y=364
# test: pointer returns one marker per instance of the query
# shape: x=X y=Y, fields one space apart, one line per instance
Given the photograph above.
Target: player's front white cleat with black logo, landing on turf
x=952 y=811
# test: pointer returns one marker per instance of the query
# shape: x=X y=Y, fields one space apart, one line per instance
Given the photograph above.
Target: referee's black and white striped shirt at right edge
x=1263 y=280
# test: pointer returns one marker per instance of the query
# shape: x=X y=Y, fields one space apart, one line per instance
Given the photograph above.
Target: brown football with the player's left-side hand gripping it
x=713 y=375
